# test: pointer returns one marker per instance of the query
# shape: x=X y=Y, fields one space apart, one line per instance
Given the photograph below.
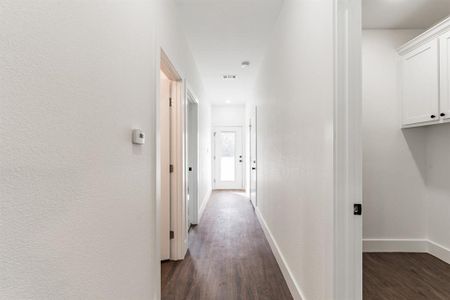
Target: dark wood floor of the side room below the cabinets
x=405 y=276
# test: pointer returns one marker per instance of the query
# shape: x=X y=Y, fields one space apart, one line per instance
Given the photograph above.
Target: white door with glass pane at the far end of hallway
x=228 y=158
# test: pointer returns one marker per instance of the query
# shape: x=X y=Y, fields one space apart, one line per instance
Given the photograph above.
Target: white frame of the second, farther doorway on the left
x=192 y=99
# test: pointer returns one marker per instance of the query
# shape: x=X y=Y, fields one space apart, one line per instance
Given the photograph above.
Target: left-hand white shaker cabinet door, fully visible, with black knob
x=420 y=85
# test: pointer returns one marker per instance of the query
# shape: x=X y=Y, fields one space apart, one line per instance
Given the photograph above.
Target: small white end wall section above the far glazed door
x=228 y=115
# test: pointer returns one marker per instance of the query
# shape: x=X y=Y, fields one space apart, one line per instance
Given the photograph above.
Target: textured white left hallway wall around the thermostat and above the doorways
x=77 y=198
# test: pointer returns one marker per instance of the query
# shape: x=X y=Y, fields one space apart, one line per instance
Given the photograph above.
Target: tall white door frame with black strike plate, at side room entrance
x=347 y=275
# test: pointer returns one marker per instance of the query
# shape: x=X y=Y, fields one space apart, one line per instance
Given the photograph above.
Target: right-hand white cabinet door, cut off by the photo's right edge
x=445 y=75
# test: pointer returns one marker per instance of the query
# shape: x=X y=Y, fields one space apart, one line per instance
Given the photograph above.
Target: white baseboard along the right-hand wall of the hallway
x=287 y=274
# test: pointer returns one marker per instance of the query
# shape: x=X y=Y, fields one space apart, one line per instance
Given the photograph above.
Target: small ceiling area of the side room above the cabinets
x=403 y=14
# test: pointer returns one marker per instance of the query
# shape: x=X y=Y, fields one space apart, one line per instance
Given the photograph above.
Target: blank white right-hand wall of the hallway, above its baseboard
x=294 y=95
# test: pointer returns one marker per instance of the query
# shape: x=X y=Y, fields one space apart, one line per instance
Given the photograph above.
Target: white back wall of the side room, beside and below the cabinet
x=393 y=159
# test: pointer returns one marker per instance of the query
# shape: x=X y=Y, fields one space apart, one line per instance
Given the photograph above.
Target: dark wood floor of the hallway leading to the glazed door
x=229 y=257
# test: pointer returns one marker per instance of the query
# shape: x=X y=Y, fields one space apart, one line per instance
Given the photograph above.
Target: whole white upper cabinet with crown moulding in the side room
x=425 y=77
